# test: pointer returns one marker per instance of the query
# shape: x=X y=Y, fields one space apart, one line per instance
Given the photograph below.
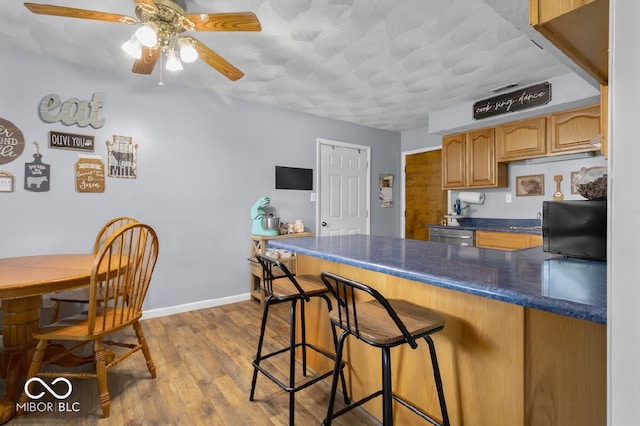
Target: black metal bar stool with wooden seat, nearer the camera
x=384 y=324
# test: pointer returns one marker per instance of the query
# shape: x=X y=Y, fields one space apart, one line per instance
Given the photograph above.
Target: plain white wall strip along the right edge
x=624 y=217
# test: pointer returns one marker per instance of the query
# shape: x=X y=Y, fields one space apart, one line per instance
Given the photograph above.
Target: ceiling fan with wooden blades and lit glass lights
x=163 y=22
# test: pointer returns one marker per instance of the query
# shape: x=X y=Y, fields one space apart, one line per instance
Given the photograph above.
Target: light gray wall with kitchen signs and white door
x=203 y=160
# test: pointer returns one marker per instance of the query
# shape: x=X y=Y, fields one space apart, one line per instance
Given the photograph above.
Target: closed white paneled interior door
x=343 y=188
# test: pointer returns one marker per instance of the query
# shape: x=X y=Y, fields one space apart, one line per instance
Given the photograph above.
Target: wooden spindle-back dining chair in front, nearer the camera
x=120 y=278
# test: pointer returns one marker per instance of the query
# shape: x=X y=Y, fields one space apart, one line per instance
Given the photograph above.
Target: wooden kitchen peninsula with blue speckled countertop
x=525 y=336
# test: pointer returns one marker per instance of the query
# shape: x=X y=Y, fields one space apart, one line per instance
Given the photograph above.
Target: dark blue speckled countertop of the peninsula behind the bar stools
x=531 y=278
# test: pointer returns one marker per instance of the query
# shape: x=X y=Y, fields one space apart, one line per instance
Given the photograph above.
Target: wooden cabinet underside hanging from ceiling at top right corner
x=579 y=28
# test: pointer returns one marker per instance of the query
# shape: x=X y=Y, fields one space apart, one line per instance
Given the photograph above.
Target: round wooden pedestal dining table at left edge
x=23 y=281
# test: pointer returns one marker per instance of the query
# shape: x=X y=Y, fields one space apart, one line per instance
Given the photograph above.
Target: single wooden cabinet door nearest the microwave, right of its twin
x=572 y=131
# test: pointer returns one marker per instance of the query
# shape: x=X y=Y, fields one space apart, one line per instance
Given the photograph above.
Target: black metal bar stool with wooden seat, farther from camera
x=282 y=287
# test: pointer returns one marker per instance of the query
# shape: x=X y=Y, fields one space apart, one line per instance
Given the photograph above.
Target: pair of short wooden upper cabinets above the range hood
x=564 y=132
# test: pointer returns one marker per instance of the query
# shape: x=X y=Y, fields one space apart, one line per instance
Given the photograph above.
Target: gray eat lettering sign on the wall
x=72 y=111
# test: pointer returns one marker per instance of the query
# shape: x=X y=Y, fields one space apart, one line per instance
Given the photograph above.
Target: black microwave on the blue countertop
x=575 y=228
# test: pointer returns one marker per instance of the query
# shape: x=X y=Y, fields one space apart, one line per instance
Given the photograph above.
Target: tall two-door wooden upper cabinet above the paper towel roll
x=469 y=161
